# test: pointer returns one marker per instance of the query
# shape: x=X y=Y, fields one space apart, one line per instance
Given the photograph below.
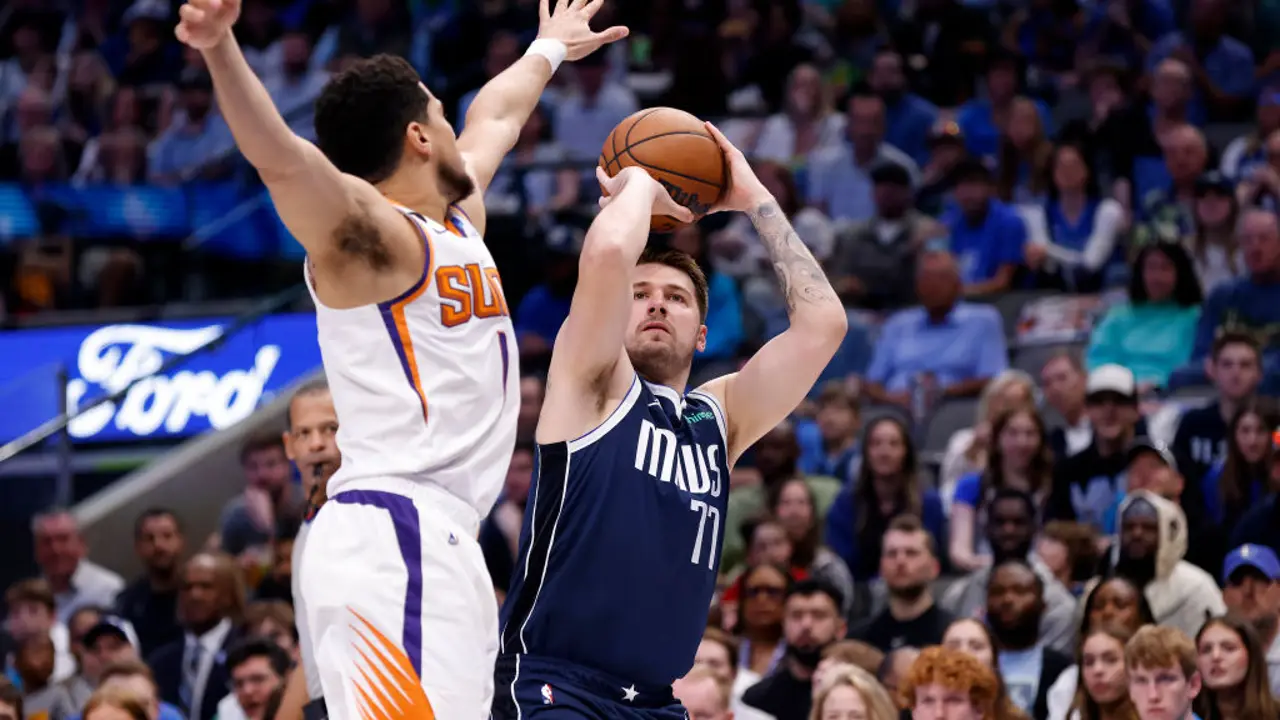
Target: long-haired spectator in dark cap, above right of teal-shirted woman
x=1218 y=257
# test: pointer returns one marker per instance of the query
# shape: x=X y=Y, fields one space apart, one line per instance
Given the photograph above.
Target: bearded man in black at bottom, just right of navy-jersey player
x=812 y=622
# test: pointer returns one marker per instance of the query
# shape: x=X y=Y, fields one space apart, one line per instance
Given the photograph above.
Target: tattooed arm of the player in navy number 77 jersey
x=780 y=375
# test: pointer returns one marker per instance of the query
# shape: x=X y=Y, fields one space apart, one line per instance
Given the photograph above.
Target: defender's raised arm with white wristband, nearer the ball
x=504 y=104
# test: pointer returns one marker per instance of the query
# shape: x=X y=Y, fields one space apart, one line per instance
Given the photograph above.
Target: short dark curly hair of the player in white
x=362 y=115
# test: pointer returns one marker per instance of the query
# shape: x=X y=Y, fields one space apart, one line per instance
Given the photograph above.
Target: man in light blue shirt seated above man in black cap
x=840 y=181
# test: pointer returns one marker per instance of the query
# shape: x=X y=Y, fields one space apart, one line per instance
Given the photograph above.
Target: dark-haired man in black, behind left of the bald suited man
x=152 y=603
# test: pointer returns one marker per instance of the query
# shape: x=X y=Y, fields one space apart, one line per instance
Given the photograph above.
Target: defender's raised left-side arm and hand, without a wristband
x=317 y=202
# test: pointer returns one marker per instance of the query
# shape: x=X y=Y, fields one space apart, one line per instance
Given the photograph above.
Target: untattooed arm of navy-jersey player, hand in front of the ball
x=589 y=364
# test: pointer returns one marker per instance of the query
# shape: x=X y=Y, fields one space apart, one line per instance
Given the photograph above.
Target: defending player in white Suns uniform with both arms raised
x=418 y=347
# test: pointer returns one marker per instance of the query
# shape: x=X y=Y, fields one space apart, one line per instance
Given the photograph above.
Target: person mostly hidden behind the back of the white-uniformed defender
x=312 y=445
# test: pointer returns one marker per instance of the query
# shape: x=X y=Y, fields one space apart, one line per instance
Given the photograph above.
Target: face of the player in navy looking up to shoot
x=665 y=327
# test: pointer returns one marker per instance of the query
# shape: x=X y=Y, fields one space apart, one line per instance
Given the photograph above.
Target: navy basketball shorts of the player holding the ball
x=531 y=687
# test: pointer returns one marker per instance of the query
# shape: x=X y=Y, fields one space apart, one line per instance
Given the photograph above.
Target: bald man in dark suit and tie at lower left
x=193 y=673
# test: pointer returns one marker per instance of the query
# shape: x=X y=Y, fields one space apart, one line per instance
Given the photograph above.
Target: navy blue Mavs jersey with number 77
x=621 y=543
